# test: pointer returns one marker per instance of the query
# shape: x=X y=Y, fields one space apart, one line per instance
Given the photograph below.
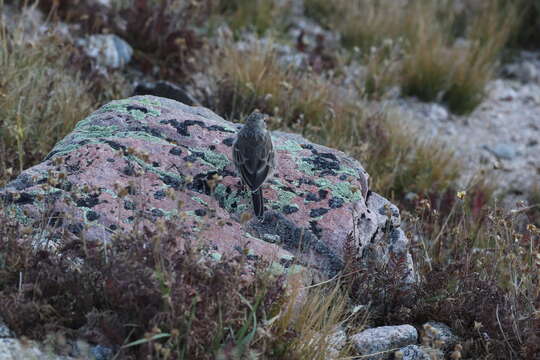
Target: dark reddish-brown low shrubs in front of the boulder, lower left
x=140 y=295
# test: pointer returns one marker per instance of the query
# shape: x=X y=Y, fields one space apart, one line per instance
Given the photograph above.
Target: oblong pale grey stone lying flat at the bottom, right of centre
x=380 y=342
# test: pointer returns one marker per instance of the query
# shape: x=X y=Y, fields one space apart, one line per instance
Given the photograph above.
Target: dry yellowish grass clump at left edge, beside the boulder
x=40 y=99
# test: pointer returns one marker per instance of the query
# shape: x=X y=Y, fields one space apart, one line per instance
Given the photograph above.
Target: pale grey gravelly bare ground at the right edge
x=500 y=139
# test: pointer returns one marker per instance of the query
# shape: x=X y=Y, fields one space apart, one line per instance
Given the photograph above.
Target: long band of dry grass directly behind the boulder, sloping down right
x=308 y=103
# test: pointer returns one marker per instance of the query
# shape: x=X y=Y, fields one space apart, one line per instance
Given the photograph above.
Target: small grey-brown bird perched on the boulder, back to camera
x=254 y=158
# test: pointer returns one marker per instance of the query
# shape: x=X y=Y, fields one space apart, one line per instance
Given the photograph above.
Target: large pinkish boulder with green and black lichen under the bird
x=138 y=161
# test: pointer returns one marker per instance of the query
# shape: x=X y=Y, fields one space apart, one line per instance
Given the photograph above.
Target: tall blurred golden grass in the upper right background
x=449 y=53
